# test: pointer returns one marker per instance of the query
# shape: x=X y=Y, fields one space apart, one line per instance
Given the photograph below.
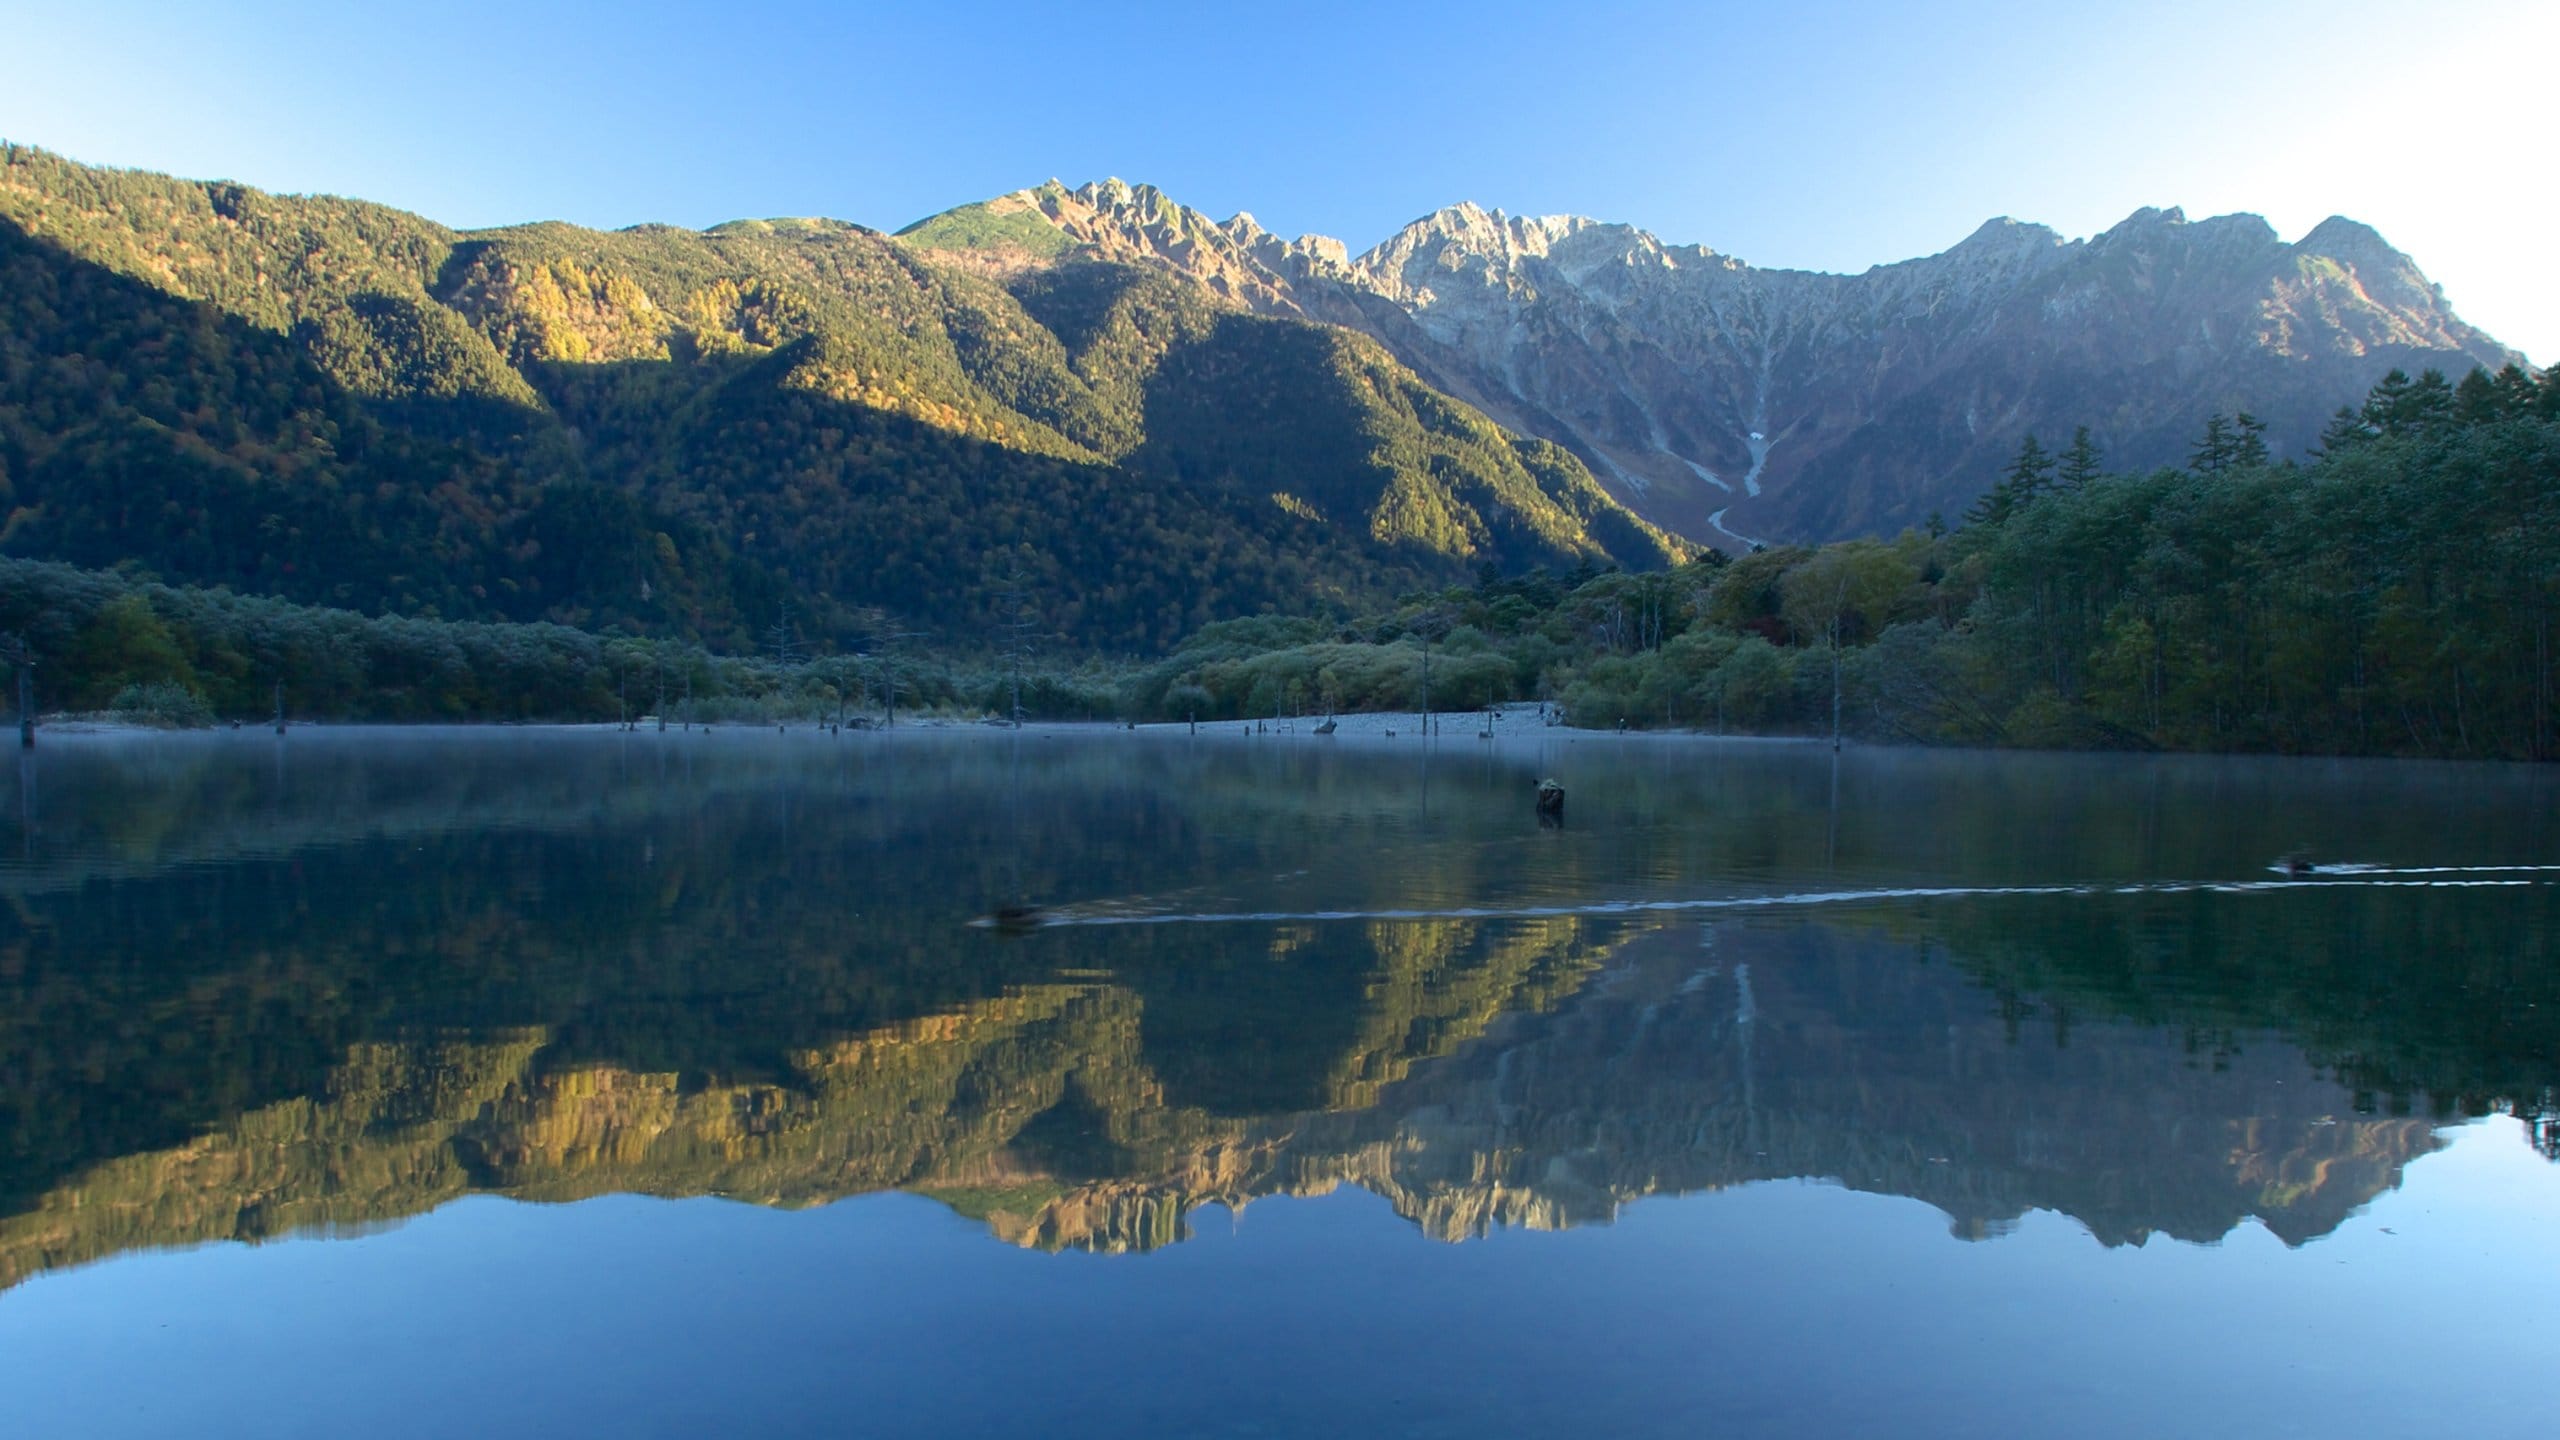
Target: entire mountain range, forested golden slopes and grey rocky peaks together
x=1146 y=419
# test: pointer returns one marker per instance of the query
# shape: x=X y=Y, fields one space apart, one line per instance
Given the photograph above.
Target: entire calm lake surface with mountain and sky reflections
x=521 y=1083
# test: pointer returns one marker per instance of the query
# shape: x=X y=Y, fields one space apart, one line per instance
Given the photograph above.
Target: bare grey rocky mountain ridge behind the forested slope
x=1740 y=404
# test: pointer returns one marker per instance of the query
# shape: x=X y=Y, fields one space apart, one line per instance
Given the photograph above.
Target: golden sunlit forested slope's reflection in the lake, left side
x=1028 y=1108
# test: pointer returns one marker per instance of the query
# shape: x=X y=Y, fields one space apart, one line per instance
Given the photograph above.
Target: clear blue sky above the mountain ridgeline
x=1796 y=135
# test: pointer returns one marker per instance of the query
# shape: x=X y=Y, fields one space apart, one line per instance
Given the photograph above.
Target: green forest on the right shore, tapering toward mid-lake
x=2395 y=596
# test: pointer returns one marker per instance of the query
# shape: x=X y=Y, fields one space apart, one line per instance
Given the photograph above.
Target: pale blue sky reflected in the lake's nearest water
x=1763 y=1311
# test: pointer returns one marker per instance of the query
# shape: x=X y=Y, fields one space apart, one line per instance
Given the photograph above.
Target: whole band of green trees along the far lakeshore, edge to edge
x=2395 y=596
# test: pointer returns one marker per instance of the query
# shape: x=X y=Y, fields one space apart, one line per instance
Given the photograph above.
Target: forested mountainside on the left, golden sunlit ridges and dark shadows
x=754 y=434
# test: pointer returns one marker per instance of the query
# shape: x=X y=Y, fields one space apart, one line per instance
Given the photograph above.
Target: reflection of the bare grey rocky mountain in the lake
x=1811 y=1052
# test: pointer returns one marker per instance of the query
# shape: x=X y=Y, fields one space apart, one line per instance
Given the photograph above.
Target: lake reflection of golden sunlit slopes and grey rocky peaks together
x=1783 y=1052
